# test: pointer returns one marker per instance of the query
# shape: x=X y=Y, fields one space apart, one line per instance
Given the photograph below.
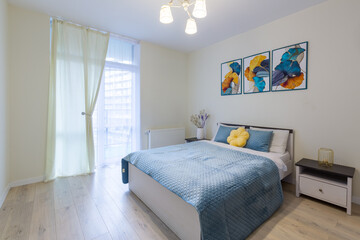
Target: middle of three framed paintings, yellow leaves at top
x=257 y=73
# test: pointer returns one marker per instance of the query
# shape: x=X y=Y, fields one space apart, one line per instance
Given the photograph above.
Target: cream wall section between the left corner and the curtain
x=29 y=47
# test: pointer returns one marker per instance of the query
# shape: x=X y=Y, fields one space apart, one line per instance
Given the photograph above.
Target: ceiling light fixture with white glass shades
x=199 y=11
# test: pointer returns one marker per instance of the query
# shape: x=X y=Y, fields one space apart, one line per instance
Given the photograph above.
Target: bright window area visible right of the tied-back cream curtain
x=116 y=117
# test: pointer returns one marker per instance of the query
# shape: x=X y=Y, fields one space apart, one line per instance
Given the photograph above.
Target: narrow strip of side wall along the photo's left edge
x=4 y=155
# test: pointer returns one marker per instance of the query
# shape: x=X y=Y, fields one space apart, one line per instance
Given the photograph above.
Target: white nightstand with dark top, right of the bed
x=330 y=184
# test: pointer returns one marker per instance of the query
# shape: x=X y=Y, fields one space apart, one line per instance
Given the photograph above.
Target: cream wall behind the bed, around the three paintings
x=325 y=115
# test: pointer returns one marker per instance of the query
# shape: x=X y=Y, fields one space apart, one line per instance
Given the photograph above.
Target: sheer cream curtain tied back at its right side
x=77 y=62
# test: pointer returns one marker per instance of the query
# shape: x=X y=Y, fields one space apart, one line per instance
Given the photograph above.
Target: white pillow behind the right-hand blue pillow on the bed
x=279 y=140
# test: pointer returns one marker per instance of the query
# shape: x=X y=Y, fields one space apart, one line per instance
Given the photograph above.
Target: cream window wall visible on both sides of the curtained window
x=163 y=83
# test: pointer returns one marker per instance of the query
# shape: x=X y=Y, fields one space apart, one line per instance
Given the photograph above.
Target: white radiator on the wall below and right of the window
x=165 y=137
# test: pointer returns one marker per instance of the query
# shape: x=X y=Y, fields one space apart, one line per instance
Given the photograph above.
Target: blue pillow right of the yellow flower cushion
x=259 y=140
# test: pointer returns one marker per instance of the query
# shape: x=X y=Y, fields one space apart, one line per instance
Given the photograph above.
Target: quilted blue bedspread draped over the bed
x=233 y=192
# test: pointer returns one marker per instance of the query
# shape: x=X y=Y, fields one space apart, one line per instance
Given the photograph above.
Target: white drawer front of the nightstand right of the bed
x=323 y=191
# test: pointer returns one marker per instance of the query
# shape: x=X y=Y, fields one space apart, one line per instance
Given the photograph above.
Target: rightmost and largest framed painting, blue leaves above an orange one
x=290 y=68
